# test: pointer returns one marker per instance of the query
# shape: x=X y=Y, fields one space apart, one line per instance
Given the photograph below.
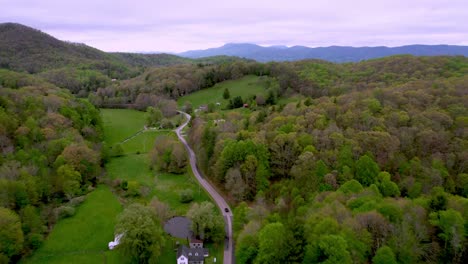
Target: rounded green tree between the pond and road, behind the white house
x=206 y=223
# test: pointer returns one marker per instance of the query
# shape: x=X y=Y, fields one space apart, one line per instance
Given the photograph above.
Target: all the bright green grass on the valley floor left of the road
x=84 y=237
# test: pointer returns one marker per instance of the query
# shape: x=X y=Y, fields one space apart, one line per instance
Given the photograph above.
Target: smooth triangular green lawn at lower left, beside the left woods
x=84 y=237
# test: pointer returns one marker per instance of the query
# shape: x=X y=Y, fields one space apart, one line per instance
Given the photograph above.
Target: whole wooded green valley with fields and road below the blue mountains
x=304 y=161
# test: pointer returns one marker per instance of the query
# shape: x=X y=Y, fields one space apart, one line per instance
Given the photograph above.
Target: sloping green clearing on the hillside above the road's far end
x=246 y=86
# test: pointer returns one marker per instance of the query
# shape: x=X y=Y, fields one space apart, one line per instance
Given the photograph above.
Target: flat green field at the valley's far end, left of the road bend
x=120 y=124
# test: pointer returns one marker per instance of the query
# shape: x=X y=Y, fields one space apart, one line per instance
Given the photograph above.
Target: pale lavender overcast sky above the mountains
x=176 y=25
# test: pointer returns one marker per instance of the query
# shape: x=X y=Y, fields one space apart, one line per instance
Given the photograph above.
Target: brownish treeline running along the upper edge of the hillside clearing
x=172 y=82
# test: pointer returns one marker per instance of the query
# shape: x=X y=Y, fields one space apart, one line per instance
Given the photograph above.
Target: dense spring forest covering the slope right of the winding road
x=376 y=172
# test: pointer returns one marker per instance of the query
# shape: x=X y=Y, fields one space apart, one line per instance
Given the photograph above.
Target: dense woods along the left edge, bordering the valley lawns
x=50 y=157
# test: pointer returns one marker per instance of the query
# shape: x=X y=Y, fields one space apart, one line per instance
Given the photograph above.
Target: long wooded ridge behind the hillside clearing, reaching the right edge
x=312 y=78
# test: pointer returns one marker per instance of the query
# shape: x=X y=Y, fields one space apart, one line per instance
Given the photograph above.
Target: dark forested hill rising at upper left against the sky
x=77 y=67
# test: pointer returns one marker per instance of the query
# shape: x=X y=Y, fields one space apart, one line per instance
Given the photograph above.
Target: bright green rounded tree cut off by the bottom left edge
x=11 y=235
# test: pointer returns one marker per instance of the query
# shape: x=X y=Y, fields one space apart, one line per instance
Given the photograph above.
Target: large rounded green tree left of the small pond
x=142 y=238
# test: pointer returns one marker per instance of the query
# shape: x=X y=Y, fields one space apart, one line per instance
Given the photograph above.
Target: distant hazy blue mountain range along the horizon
x=333 y=53
